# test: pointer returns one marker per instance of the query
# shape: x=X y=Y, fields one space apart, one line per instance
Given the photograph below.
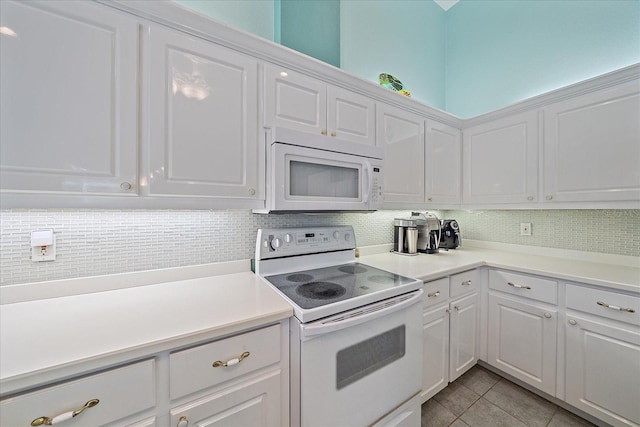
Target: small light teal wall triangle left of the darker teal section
x=253 y=16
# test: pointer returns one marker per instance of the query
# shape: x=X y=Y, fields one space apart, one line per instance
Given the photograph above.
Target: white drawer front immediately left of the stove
x=192 y=369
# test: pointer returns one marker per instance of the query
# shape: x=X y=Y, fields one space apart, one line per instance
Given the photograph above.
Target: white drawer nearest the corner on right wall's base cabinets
x=525 y=286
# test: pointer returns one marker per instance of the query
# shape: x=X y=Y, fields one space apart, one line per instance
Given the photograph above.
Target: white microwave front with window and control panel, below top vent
x=309 y=179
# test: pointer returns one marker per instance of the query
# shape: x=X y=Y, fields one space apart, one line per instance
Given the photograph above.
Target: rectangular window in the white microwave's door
x=323 y=180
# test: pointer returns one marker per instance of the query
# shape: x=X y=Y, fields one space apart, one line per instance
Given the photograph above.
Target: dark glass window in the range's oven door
x=365 y=357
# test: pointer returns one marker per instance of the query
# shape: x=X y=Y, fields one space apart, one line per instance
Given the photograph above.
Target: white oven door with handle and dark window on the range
x=355 y=368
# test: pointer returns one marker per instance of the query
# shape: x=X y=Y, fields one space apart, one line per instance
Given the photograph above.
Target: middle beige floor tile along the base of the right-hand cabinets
x=528 y=407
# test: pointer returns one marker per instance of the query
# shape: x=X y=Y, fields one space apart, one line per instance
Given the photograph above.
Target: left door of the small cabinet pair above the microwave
x=294 y=101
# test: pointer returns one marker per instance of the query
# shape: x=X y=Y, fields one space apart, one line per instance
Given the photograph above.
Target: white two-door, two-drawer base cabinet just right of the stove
x=450 y=330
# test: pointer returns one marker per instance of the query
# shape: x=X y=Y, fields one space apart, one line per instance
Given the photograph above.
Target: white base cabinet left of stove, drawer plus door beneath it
x=241 y=377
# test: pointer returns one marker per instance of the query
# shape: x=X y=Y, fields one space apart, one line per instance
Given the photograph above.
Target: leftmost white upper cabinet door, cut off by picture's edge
x=69 y=103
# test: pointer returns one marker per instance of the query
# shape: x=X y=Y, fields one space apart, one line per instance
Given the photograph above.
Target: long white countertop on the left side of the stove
x=49 y=339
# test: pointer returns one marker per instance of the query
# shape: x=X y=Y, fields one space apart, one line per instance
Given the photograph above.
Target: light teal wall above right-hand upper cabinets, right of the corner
x=500 y=52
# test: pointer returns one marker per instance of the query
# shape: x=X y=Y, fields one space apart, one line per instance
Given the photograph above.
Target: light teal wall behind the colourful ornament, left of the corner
x=404 y=38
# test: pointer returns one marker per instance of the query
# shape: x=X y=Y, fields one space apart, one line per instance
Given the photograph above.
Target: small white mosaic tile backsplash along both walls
x=98 y=242
